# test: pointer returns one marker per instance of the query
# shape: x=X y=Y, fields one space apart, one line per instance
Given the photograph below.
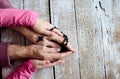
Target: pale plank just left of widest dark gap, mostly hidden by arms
x=42 y=7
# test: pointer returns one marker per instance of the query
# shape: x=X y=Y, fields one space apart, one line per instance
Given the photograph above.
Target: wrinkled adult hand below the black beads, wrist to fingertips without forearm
x=45 y=53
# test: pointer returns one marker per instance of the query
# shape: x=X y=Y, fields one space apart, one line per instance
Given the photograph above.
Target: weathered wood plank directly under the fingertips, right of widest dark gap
x=63 y=16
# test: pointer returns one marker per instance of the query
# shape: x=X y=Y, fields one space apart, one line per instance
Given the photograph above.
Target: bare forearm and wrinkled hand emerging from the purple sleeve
x=37 y=52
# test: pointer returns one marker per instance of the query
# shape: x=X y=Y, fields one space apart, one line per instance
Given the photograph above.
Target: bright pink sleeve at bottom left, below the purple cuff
x=23 y=72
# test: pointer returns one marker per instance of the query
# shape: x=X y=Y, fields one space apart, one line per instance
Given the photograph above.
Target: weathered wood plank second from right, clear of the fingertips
x=90 y=40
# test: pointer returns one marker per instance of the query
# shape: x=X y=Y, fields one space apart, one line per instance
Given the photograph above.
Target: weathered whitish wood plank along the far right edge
x=110 y=18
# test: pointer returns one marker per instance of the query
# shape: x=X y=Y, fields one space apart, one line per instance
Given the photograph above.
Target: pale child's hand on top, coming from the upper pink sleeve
x=44 y=27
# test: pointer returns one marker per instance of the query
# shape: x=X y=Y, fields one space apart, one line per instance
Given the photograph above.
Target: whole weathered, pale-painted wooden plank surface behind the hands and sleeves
x=93 y=28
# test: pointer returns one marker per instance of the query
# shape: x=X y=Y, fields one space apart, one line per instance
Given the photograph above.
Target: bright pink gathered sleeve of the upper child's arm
x=17 y=17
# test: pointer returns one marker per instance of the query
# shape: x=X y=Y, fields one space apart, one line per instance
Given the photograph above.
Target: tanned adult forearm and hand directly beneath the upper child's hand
x=34 y=37
